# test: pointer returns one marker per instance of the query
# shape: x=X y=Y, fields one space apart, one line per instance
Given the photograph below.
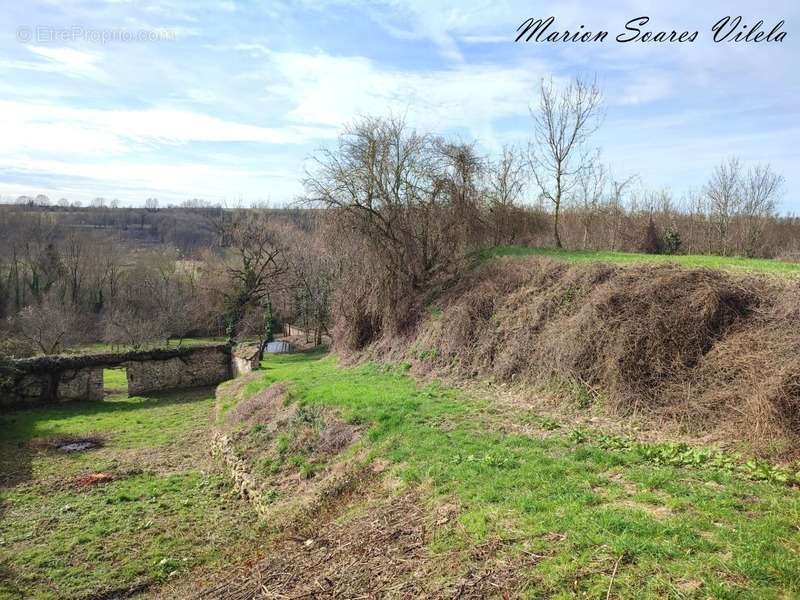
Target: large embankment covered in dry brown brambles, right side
x=718 y=353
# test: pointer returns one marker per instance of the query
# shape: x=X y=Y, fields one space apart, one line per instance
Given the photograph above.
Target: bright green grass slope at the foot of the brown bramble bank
x=583 y=507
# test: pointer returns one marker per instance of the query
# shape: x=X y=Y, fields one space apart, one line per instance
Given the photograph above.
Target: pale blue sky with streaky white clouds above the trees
x=226 y=101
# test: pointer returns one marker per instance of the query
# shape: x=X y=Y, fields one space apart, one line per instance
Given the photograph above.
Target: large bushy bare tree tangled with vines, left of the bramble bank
x=412 y=202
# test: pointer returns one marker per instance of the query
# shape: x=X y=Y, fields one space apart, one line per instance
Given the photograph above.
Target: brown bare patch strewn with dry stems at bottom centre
x=379 y=552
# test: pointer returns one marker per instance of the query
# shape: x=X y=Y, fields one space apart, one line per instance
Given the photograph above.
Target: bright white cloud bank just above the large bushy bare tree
x=332 y=91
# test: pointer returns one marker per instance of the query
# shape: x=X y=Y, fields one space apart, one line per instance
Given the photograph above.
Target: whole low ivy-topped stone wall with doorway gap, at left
x=80 y=377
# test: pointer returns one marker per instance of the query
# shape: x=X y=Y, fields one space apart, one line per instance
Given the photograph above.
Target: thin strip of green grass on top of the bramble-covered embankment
x=731 y=263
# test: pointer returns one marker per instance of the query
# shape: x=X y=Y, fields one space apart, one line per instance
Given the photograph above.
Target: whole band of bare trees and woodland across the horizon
x=390 y=217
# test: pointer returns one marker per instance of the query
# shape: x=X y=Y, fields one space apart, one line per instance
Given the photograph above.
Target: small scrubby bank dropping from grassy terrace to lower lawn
x=282 y=455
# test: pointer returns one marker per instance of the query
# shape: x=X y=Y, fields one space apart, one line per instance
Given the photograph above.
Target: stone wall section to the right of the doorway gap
x=203 y=366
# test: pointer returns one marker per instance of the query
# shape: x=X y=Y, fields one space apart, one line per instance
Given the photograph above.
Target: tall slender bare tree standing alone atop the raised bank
x=563 y=122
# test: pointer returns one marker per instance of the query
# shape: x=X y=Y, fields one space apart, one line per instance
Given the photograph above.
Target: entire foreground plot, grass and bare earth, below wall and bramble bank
x=456 y=495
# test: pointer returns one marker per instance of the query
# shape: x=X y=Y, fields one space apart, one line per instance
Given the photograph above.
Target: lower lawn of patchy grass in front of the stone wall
x=150 y=525
